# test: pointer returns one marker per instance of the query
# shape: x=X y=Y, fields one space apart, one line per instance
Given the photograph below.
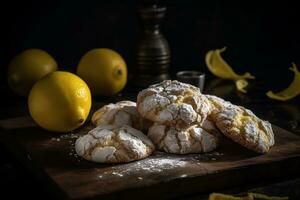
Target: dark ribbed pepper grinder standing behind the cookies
x=153 y=52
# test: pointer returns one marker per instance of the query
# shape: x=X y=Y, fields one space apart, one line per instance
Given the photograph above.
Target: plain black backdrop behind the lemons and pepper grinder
x=262 y=37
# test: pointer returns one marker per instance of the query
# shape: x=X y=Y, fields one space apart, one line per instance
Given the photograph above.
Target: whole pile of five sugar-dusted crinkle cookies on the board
x=177 y=119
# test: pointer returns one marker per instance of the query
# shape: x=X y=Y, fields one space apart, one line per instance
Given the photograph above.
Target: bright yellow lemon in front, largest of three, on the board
x=60 y=102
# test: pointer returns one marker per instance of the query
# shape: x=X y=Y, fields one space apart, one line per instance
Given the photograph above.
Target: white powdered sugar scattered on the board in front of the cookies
x=160 y=164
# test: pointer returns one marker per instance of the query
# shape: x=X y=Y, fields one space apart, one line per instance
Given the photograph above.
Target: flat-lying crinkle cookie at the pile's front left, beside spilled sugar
x=112 y=144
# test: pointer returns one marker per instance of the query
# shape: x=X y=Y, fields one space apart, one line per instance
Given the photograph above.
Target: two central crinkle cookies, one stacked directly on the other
x=179 y=114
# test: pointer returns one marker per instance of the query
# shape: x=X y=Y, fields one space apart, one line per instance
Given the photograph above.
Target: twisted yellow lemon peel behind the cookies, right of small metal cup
x=220 y=68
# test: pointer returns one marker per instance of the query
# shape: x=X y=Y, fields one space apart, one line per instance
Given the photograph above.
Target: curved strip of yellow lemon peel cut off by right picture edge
x=291 y=91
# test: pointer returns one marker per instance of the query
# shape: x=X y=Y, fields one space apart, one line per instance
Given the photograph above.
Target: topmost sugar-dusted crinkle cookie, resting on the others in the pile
x=173 y=103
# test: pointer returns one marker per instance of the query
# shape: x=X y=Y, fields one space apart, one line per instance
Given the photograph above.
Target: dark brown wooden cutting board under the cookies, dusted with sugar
x=52 y=158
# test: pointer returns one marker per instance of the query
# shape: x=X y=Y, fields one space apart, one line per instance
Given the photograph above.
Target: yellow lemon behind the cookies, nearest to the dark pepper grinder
x=104 y=70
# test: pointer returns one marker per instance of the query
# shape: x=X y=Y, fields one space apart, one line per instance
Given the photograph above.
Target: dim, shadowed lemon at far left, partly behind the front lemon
x=28 y=67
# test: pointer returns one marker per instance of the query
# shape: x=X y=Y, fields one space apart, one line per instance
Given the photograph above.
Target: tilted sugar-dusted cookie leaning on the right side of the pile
x=243 y=126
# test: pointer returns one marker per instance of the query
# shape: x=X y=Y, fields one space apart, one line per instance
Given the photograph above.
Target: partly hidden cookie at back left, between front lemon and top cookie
x=119 y=114
